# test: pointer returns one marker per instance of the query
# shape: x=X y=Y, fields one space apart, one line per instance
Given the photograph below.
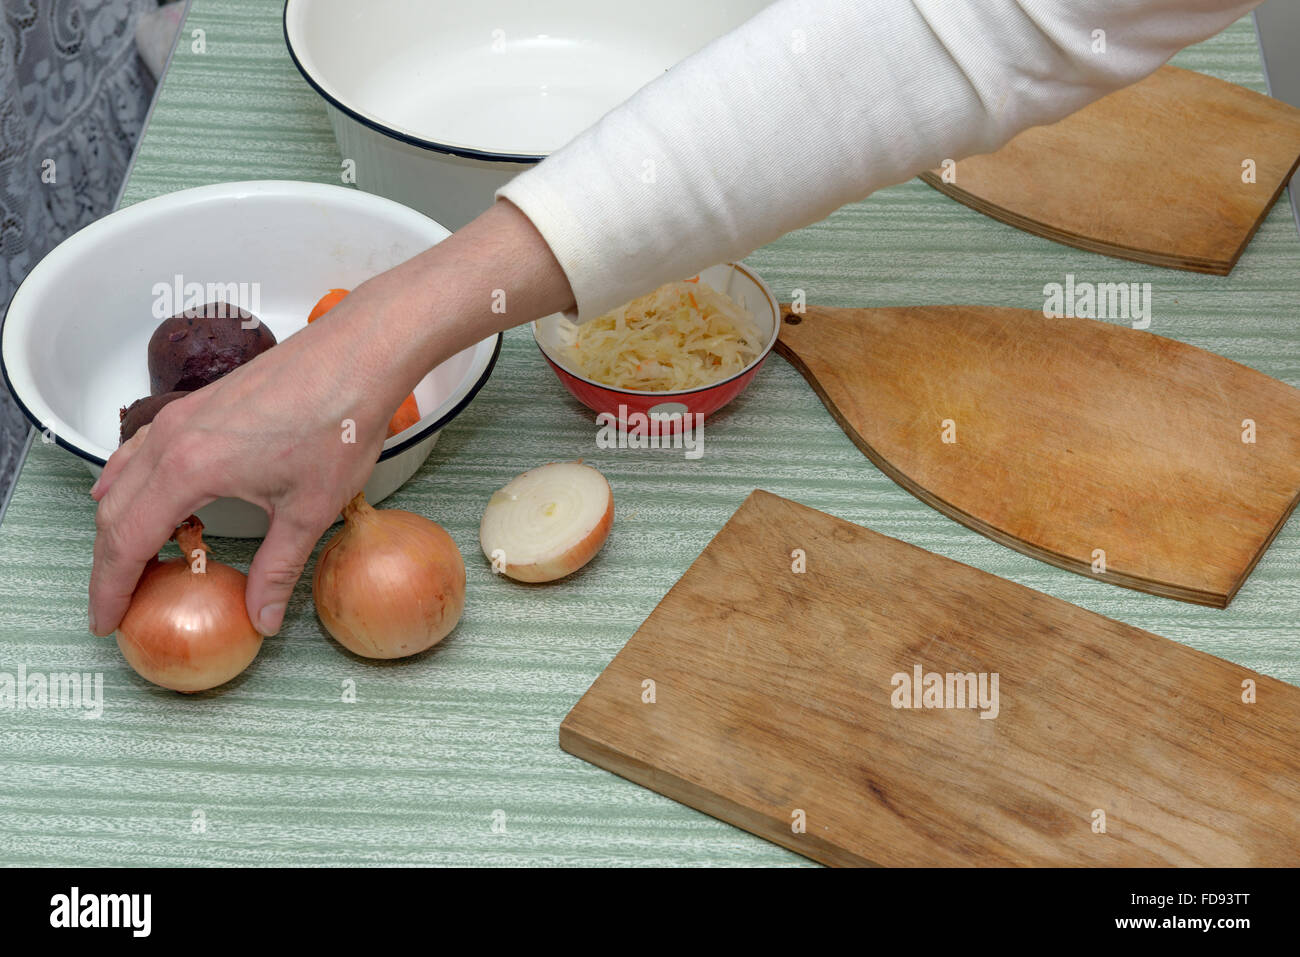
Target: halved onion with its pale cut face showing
x=548 y=522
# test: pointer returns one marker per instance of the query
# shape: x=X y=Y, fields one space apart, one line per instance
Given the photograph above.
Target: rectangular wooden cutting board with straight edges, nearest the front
x=773 y=705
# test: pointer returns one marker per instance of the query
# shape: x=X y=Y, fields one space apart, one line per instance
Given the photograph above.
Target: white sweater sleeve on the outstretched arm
x=817 y=103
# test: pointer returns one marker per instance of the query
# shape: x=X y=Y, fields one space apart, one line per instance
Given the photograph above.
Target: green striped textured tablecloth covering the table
x=278 y=769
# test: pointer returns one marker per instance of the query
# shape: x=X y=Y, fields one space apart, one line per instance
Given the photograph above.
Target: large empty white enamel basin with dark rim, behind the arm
x=439 y=103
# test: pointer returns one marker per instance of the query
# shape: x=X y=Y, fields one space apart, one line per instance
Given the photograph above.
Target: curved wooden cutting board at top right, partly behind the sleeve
x=1152 y=172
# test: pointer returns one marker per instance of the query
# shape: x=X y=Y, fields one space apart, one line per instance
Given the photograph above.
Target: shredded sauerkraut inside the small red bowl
x=683 y=336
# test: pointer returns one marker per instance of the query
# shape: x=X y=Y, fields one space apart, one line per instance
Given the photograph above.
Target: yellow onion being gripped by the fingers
x=188 y=627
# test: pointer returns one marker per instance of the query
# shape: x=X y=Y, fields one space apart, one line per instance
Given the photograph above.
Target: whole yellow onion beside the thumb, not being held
x=391 y=583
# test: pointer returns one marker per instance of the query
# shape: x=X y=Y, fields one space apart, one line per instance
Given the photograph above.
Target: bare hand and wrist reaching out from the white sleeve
x=298 y=430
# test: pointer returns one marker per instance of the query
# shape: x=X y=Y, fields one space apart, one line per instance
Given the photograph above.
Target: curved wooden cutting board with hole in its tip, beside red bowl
x=1100 y=449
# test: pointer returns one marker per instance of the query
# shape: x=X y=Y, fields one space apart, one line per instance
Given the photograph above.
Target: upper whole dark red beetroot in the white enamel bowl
x=189 y=352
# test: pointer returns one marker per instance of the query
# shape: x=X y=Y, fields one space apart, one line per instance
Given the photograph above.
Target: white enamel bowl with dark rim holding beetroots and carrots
x=73 y=344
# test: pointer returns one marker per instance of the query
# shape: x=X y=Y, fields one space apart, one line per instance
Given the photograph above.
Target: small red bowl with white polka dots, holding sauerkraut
x=744 y=288
